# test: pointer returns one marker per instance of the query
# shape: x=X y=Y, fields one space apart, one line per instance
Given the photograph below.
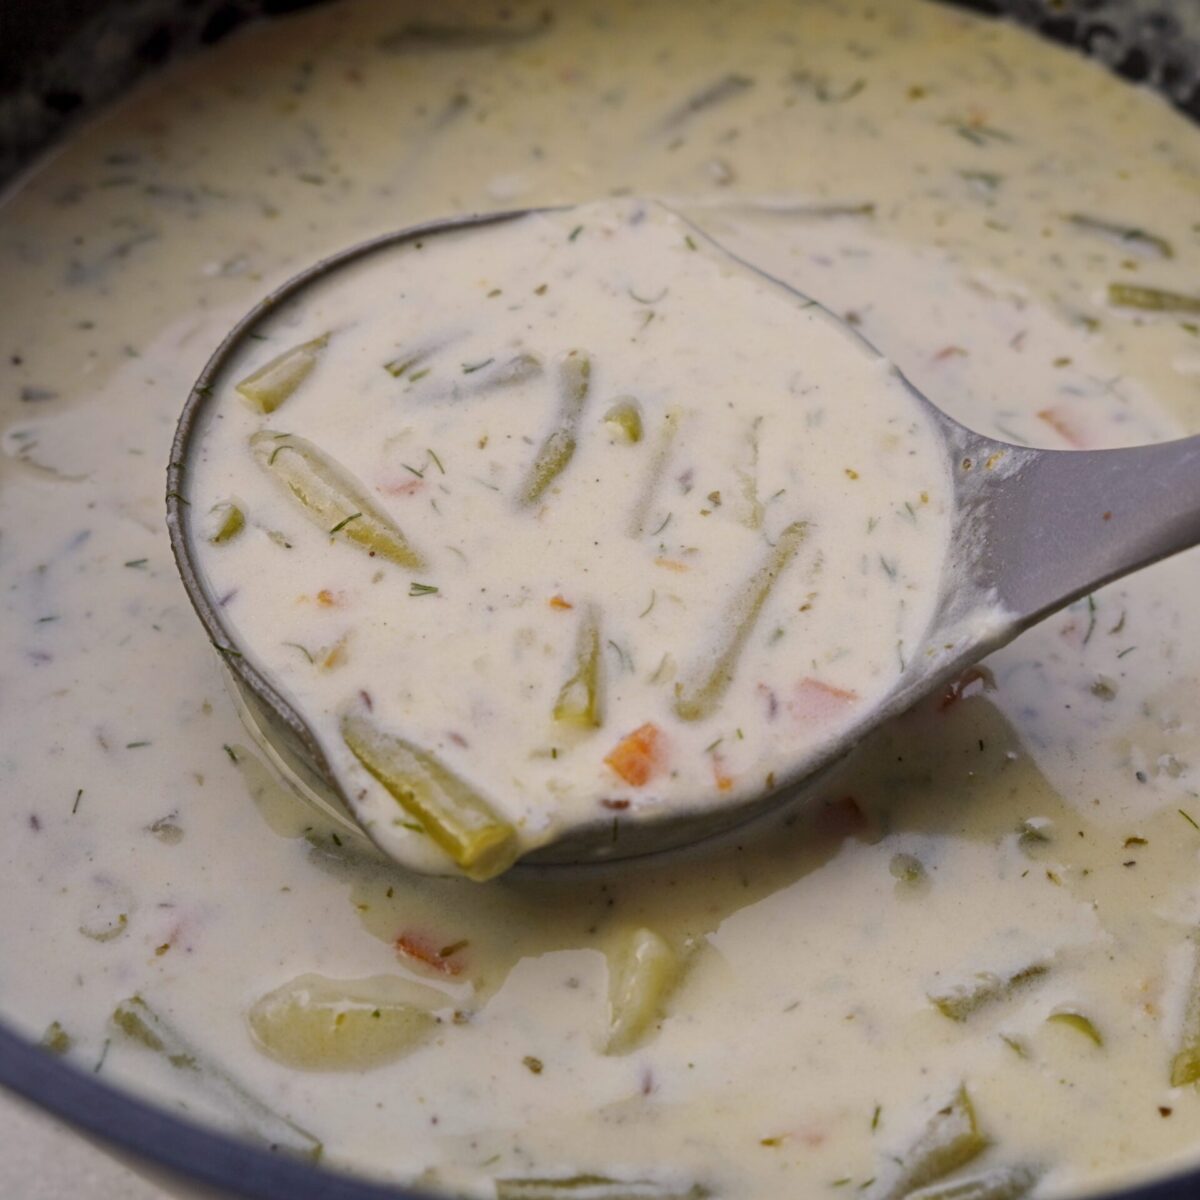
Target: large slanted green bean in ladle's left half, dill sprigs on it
x=332 y=497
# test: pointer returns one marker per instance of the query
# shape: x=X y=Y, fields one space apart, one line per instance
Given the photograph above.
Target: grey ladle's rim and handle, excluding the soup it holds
x=1033 y=532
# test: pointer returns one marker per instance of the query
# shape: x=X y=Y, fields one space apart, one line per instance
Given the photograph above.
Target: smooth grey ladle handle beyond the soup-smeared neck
x=1072 y=520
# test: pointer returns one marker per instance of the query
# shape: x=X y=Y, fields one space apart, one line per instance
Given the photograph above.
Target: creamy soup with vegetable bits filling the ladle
x=643 y=532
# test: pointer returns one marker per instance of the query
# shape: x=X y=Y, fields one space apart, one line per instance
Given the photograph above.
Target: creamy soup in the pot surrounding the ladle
x=974 y=955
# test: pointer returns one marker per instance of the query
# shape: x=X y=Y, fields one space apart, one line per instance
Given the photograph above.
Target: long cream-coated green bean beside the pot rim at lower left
x=142 y=1024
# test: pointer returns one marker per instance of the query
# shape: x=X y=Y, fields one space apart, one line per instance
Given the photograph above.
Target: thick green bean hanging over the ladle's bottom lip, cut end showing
x=458 y=819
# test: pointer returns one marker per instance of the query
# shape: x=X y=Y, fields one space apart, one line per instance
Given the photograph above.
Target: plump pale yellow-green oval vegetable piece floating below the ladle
x=317 y=1024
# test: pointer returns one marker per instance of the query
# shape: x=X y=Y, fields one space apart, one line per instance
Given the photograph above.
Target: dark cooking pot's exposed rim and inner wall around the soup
x=62 y=58
